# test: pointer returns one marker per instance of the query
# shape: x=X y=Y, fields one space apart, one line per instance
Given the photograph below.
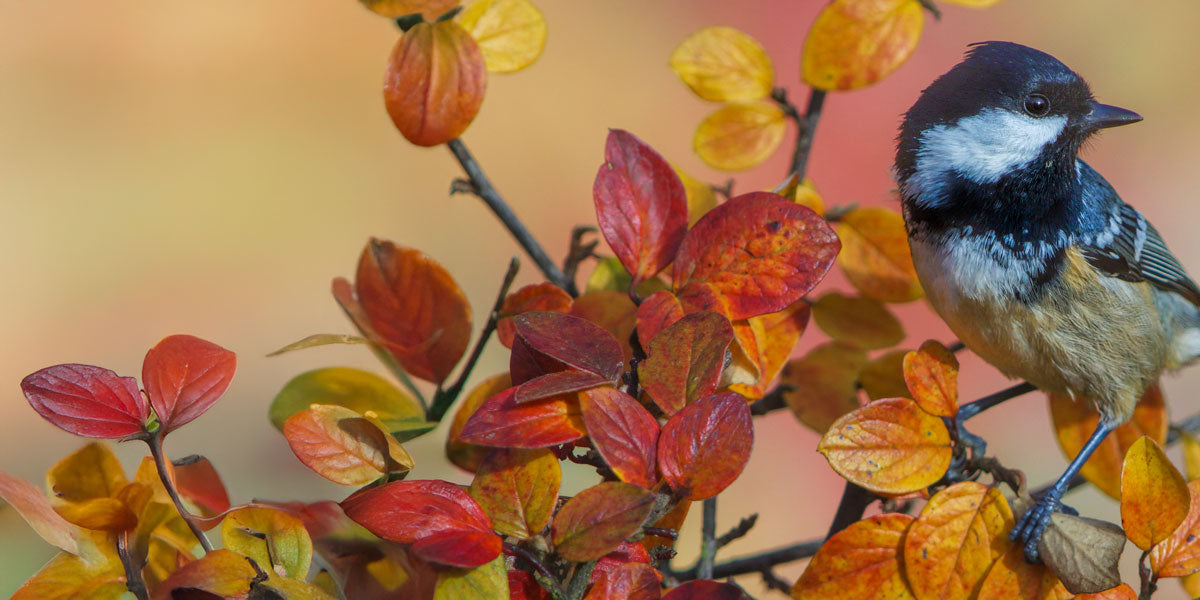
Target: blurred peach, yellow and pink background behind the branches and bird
x=208 y=167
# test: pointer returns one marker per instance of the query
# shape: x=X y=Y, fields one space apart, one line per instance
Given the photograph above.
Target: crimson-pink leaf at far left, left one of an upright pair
x=87 y=401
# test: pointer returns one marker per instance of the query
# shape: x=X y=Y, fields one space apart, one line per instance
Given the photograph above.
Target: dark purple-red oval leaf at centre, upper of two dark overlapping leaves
x=572 y=341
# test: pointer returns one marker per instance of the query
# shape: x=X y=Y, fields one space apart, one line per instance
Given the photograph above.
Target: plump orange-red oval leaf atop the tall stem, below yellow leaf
x=435 y=83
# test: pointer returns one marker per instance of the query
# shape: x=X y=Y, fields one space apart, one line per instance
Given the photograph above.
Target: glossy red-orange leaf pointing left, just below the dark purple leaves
x=502 y=423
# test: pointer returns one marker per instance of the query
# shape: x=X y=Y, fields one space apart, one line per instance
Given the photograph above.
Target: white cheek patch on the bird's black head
x=981 y=148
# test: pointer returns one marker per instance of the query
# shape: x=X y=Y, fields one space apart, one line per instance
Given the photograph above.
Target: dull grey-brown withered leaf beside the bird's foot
x=1083 y=553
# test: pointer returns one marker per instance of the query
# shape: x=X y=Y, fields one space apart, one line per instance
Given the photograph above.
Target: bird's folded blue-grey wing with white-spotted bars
x=1131 y=249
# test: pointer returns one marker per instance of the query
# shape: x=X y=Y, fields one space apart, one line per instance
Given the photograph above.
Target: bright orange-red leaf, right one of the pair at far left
x=184 y=376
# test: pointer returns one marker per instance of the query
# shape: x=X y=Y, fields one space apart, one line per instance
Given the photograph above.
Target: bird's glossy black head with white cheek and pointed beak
x=1005 y=111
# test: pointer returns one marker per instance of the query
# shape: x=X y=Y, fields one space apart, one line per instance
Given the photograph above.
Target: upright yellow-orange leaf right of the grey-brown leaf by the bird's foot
x=1154 y=496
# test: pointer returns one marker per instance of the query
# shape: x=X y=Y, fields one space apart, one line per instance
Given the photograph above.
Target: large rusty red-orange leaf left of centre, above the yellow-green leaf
x=413 y=305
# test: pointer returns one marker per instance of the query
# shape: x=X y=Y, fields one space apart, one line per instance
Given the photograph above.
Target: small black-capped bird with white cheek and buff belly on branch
x=1029 y=254
